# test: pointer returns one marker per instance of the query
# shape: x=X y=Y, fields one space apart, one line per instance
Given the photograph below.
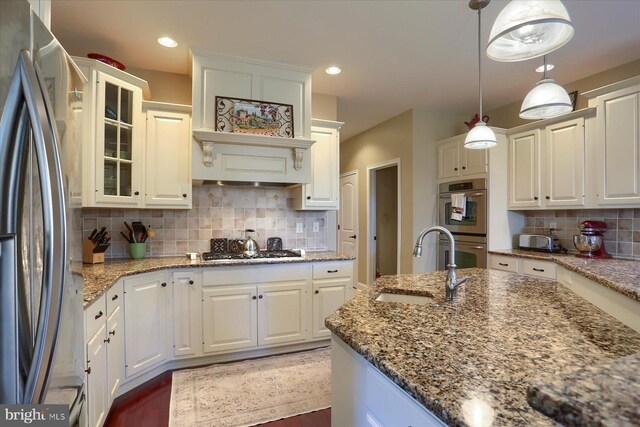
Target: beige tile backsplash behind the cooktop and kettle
x=217 y=212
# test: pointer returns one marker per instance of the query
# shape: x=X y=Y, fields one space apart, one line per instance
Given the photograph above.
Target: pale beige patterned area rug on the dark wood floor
x=253 y=391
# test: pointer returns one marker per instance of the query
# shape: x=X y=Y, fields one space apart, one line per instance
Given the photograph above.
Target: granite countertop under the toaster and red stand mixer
x=620 y=275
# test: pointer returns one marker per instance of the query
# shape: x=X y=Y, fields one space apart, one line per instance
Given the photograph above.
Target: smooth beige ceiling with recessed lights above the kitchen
x=395 y=55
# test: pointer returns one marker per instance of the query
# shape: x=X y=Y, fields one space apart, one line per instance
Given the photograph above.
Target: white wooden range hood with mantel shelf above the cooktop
x=219 y=152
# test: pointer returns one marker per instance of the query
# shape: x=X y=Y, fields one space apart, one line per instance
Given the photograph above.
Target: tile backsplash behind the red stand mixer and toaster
x=622 y=239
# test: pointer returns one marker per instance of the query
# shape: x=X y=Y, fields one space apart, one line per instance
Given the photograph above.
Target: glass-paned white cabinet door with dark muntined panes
x=119 y=110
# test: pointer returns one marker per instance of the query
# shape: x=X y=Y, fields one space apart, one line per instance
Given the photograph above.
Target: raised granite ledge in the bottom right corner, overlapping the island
x=576 y=398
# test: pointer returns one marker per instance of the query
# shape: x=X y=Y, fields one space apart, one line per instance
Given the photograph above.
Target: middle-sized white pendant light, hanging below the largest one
x=547 y=99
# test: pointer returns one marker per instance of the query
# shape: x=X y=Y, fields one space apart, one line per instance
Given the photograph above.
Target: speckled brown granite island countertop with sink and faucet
x=470 y=362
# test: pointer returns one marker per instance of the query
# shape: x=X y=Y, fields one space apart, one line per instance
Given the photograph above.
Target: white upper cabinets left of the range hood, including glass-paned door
x=135 y=155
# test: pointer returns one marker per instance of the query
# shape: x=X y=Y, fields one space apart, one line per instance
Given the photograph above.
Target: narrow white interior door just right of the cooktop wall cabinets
x=348 y=217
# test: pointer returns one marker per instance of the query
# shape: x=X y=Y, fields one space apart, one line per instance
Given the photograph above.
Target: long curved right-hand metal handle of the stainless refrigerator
x=54 y=252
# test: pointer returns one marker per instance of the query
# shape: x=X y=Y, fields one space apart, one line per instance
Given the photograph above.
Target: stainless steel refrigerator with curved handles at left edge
x=41 y=314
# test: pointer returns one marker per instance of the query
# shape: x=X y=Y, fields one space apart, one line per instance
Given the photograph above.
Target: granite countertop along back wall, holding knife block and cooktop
x=100 y=277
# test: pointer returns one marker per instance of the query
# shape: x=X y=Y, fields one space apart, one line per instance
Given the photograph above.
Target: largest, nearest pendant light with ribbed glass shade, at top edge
x=527 y=29
